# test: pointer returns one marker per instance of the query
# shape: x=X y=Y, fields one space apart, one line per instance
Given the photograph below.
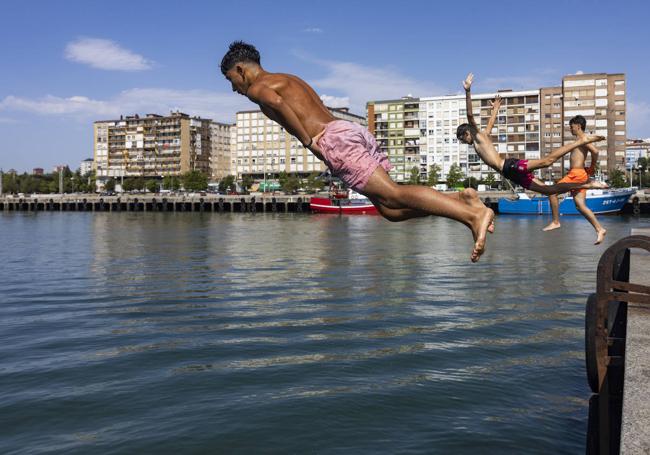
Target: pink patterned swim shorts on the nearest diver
x=351 y=153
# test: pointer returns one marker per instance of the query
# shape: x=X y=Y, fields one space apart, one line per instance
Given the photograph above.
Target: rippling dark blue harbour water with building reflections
x=179 y=332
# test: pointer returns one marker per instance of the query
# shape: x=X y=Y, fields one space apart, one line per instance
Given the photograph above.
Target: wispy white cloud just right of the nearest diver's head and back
x=361 y=83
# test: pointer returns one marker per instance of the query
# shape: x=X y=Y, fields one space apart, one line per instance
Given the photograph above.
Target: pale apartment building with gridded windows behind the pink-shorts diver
x=263 y=147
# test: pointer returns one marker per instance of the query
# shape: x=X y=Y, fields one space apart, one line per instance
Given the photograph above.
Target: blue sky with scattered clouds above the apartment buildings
x=65 y=64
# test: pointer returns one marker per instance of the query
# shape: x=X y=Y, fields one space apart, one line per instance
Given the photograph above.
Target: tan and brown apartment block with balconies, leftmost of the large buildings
x=152 y=146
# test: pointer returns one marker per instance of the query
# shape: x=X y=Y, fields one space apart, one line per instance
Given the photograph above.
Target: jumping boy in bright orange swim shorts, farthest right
x=578 y=174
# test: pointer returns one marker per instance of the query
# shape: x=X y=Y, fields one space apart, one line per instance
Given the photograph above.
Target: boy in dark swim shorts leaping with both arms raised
x=519 y=171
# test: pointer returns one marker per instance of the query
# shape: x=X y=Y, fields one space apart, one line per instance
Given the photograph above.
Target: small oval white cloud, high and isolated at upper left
x=106 y=55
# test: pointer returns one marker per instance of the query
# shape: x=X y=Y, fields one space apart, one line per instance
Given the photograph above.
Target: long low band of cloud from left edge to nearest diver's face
x=220 y=106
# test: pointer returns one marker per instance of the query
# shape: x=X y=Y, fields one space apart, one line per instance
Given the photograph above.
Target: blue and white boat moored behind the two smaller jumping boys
x=599 y=201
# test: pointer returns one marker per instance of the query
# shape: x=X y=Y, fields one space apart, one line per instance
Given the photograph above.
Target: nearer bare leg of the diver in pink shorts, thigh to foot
x=424 y=199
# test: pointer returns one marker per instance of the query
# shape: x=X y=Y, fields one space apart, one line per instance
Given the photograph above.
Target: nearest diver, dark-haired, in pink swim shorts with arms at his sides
x=348 y=149
